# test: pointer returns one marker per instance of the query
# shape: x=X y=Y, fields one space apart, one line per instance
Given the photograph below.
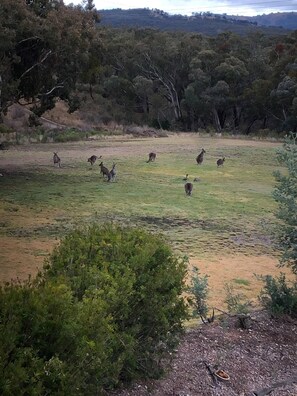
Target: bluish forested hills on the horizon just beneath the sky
x=206 y=23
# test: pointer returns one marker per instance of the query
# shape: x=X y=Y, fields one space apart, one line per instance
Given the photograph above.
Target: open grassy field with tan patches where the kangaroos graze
x=225 y=228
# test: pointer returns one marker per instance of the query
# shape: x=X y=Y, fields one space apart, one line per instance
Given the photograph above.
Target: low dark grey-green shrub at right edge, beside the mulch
x=278 y=297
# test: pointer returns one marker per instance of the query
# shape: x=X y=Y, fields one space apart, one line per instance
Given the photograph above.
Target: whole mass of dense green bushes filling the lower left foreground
x=106 y=308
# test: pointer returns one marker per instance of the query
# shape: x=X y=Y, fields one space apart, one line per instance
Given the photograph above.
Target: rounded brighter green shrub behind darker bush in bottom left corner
x=139 y=279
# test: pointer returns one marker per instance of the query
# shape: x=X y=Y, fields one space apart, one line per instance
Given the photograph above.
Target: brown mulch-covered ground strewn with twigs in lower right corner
x=254 y=359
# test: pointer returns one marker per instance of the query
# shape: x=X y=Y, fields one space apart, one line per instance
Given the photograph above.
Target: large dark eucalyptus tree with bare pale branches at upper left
x=46 y=52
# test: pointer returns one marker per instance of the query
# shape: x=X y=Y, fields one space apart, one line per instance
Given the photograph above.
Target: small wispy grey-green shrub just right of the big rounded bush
x=199 y=290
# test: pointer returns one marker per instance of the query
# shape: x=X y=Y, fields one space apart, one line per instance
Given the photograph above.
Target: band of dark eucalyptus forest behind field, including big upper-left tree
x=169 y=80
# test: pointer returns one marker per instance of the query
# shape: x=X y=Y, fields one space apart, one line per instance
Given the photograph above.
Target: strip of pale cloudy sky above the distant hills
x=187 y=7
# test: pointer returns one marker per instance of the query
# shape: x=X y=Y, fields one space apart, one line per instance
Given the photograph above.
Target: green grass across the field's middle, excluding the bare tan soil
x=231 y=207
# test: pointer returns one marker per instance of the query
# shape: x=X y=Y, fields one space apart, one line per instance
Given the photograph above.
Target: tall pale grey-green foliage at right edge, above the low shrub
x=285 y=195
